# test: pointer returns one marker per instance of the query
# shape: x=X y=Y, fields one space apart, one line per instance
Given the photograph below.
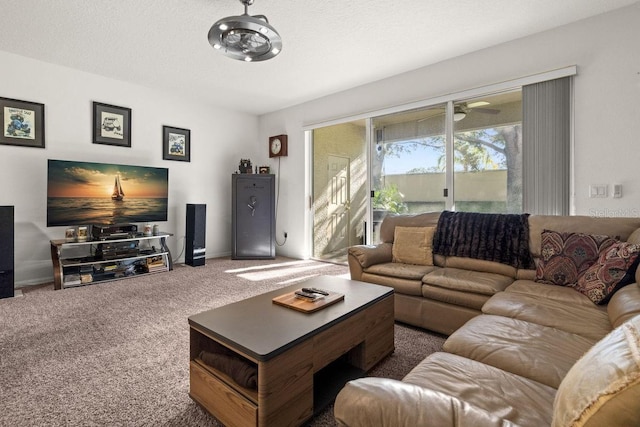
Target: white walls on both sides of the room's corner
x=607 y=109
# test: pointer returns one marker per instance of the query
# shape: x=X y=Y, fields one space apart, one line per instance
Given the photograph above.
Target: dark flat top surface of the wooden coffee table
x=262 y=329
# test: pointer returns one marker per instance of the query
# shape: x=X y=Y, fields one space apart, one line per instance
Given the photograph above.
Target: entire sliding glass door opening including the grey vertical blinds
x=479 y=153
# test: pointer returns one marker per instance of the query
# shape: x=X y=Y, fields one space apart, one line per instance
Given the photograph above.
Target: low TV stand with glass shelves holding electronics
x=81 y=263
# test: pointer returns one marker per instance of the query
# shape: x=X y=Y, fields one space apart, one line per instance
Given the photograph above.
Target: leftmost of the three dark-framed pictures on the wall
x=22 y=123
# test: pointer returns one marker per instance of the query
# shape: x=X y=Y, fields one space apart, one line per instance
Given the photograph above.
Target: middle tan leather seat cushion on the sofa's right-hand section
x=533 y=351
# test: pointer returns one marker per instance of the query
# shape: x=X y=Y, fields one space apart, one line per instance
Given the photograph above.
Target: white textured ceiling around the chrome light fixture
x=328 y=45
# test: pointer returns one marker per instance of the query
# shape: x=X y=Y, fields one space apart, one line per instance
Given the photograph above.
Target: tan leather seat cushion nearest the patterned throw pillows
x=590 y=321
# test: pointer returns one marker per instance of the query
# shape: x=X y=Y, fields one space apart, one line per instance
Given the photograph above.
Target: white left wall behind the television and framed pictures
x=218 y=140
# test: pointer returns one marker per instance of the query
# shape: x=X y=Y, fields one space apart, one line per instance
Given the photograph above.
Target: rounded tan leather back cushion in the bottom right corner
x=603 y=387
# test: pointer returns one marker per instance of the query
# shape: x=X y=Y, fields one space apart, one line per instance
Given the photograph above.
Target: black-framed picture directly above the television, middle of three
x=111 y=125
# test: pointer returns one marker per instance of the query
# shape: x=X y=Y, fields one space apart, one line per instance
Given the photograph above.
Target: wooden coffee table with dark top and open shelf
x=302 y=359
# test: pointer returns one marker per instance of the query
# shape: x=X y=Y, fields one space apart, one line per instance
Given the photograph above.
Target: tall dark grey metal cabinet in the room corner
x=253 y=216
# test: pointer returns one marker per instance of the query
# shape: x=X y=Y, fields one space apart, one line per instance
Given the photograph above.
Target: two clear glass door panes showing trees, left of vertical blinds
x=462 y=155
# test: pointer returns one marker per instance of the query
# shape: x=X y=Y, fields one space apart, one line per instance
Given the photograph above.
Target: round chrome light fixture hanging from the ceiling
x=245 y=37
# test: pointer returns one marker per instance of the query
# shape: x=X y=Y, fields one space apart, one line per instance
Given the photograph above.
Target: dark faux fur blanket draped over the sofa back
x=503 y=238
